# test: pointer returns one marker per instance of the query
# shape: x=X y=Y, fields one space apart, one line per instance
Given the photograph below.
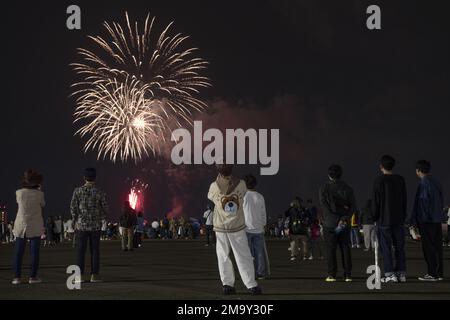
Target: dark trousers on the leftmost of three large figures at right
x=332 y=241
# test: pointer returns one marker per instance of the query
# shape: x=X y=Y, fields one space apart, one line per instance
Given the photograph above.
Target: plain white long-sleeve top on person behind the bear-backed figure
x=254 y=212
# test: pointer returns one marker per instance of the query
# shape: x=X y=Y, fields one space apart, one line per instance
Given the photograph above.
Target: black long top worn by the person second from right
x=389 y=200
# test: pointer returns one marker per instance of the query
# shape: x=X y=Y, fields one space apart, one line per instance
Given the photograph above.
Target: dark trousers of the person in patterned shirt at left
x=93 y=237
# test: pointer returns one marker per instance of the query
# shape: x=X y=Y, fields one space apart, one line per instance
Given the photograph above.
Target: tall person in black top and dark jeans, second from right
x=389 y=211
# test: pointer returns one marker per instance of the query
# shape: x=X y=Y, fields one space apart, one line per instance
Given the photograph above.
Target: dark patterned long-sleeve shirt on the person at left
x=88 y=207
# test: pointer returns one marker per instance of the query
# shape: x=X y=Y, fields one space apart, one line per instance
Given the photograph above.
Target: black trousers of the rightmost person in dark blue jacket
x=431 y=234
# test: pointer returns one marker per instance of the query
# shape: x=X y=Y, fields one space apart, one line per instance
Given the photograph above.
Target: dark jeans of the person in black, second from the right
x=392 y=237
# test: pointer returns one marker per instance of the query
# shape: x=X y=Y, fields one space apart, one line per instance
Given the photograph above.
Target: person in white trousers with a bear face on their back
x=227 y=194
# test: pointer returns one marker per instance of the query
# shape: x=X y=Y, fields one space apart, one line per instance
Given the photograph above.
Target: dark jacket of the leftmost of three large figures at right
x=337 y=200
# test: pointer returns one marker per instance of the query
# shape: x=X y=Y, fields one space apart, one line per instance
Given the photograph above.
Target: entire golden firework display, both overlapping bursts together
x=136 y=86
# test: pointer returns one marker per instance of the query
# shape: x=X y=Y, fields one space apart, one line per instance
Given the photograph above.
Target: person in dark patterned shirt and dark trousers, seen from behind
x=88 y=208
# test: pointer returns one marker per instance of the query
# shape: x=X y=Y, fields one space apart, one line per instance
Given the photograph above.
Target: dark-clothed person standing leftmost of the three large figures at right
x=338 y=203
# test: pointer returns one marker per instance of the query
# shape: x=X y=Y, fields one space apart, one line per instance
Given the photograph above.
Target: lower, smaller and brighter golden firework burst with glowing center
x=120 y=121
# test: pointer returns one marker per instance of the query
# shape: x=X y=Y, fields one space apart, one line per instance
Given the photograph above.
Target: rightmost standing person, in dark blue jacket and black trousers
x=427 y=214
